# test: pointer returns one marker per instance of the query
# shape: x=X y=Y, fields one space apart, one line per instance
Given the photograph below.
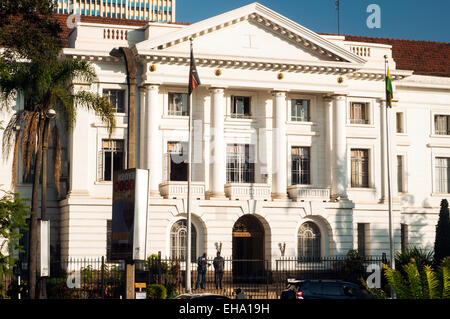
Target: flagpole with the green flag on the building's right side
x=388 y=102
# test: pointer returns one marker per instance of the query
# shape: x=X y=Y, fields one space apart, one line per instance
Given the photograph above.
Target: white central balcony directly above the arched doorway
x=245 y=191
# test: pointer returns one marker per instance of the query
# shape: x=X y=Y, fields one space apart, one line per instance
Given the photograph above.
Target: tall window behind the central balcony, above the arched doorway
x=240 y=163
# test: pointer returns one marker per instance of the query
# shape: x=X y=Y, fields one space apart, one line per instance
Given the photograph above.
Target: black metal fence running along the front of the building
x=258 y=279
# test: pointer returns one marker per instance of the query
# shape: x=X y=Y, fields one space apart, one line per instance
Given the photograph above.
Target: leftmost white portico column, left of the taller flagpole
x=153 y=158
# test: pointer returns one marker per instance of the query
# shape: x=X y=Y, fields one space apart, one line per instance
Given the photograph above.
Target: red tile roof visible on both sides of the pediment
x=423 y=57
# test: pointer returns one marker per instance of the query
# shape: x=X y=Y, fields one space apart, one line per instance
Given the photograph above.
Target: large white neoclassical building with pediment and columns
x=290 y=140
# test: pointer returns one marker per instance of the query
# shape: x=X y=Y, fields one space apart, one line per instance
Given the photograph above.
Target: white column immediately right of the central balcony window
x=279 y=146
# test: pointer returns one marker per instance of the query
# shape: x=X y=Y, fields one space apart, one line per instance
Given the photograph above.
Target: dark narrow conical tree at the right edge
x=442 y=242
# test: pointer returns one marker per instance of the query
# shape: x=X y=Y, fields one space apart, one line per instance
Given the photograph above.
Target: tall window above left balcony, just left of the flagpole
x=177 y=160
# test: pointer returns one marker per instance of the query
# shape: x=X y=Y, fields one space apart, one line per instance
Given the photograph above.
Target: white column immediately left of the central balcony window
x=217 y=174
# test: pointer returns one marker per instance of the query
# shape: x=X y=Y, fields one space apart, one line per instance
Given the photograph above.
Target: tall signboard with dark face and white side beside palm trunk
x=129 y=215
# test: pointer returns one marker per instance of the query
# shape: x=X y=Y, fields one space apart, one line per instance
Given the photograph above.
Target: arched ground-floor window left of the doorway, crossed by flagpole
x=178 y=236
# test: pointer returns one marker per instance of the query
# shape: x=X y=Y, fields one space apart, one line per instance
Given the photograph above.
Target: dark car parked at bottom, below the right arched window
x=323 y=289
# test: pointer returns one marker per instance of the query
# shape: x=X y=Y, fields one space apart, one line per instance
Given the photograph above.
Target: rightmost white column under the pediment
x=339 y=158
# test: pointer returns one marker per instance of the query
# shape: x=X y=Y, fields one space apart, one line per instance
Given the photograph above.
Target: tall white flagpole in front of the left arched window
x=188 y=210
